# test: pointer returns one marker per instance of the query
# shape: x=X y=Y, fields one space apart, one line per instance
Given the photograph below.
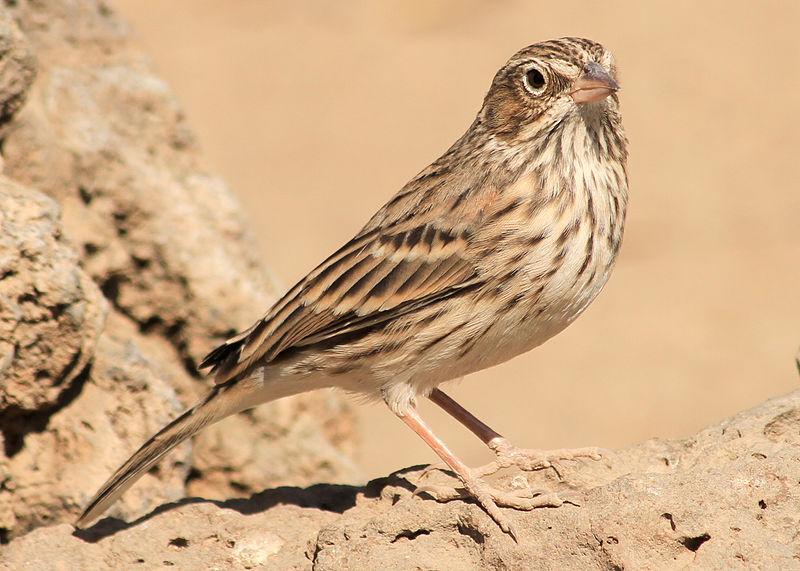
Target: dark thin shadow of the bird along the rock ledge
x=336 y=498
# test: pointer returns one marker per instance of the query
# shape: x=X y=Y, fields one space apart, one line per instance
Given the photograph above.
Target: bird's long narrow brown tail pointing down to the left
x=222 y=402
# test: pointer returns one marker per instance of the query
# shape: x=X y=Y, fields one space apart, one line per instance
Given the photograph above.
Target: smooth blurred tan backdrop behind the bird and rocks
x=317 y=112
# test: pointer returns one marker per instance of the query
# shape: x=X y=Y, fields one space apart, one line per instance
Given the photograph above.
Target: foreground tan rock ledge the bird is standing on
x=726 y=497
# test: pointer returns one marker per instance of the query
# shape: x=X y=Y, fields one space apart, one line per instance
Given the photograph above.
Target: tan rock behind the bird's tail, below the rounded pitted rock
x=64 y=455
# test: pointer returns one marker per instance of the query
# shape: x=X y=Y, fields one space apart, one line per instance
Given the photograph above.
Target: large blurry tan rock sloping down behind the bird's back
x=107 y=139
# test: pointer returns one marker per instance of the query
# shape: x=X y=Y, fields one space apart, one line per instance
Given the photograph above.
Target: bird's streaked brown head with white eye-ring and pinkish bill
x=545 y=83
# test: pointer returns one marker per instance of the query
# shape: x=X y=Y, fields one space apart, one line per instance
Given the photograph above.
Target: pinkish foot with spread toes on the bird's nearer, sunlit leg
x=491 y=499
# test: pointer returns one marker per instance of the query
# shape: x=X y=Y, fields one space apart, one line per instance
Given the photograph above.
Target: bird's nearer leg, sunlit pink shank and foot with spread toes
x=474 y=487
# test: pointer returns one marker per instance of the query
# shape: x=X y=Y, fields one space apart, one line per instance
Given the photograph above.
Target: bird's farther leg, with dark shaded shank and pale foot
x=507 y=454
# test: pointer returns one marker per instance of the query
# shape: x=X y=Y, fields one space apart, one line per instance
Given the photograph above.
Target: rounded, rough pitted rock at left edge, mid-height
x=51 y=312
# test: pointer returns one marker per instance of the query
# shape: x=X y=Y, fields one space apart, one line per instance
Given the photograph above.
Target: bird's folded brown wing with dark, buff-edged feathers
x=373 y=279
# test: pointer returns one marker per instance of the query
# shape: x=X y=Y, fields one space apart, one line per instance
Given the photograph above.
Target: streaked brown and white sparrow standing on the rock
x=487 y=253
